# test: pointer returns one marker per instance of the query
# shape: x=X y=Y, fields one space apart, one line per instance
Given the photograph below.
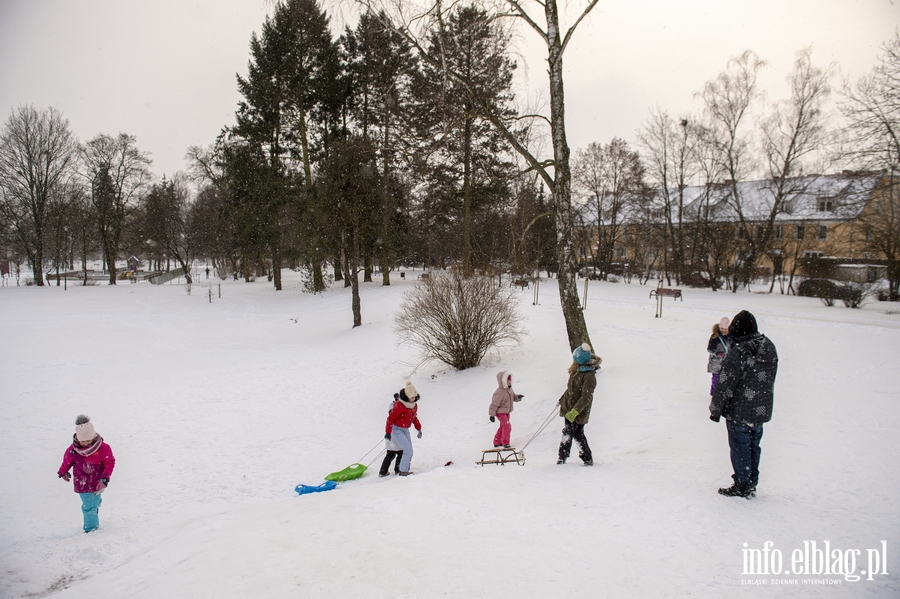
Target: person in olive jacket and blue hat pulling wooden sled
x=575 y=403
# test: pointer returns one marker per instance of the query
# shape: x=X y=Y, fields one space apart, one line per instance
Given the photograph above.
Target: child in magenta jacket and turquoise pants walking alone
x=91 y=461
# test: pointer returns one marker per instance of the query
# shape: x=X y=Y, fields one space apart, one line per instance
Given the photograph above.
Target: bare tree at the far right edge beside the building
x=872 y=108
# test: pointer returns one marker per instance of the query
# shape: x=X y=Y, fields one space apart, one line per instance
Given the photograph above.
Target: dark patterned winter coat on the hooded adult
x=746 y=387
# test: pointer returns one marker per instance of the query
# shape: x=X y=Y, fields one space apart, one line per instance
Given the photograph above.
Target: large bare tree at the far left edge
x=37 y=157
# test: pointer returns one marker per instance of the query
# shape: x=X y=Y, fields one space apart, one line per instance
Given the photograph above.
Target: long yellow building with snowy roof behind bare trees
x=816 y=216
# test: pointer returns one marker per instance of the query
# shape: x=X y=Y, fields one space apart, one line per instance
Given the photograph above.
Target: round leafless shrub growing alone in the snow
x=458 y=319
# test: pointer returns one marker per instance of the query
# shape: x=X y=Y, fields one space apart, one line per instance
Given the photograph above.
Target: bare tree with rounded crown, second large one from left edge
x=117 y=172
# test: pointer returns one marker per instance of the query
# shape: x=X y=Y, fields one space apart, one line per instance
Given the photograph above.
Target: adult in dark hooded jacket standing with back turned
x=744 y=396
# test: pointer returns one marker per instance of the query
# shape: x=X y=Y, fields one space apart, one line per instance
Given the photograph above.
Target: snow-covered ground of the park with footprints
x=215 y=411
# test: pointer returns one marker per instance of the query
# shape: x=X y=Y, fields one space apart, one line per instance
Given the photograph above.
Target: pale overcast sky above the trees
x=164 y=70
